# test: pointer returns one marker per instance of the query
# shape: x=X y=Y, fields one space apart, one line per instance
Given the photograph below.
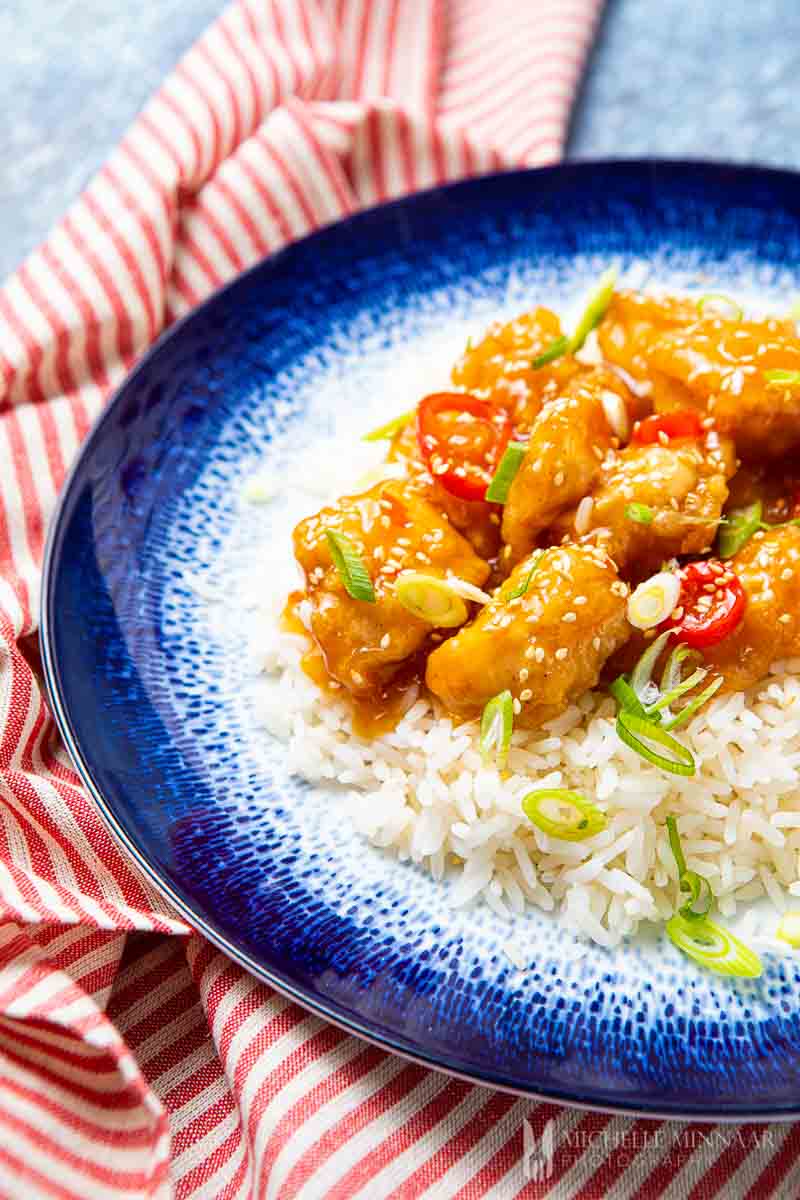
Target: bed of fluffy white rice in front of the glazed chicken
x=424 y=793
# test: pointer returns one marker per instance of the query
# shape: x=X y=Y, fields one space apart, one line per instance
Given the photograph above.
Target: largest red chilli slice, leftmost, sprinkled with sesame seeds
x=462 y=441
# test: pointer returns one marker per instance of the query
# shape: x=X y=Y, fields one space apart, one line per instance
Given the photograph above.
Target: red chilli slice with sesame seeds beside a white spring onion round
x=714 y=603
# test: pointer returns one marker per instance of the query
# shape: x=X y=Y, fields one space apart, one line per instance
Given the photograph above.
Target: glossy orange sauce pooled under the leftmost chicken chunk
x=374 y=717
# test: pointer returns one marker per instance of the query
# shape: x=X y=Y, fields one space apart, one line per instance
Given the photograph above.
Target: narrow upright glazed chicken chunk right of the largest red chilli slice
x=568 y=445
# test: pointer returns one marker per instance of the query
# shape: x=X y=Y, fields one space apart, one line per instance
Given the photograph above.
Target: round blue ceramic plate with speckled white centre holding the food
x=153 y=700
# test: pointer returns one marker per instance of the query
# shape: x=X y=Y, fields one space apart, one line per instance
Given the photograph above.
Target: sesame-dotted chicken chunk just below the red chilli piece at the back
x=655 y=502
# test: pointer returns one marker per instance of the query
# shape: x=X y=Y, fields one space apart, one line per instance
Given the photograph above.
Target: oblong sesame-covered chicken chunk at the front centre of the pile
x=546 y=646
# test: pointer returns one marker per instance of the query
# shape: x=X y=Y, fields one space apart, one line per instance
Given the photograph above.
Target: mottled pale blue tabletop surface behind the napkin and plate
x=694 y=79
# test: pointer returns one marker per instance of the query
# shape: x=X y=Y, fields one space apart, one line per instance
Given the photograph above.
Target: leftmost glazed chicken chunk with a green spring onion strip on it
x=394 y=530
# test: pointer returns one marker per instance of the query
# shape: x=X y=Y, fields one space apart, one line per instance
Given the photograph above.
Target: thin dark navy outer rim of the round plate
x=56 y=699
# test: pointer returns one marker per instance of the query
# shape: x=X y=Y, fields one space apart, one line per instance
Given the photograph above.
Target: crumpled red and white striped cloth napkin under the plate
x=140 y=1065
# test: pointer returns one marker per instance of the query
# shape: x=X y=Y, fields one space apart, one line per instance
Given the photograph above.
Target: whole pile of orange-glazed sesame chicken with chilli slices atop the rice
x=575 y=502
